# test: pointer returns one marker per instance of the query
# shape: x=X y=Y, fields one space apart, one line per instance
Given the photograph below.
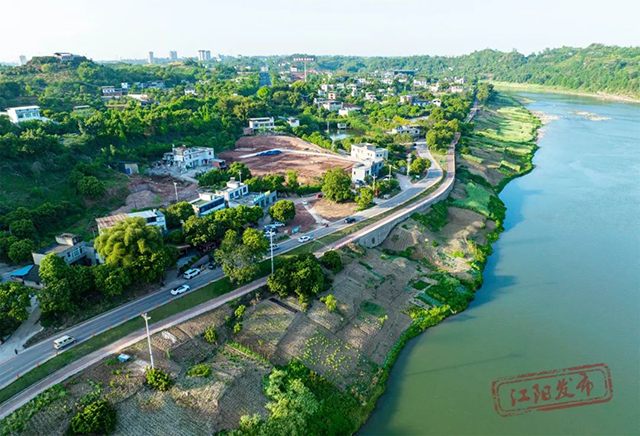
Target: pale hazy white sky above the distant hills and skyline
x=130 y=28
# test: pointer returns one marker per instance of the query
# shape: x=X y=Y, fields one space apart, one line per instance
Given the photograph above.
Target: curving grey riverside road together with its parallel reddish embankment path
x=43 y=351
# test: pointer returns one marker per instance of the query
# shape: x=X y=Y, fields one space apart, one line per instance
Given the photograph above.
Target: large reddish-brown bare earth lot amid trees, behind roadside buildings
x=310 y=167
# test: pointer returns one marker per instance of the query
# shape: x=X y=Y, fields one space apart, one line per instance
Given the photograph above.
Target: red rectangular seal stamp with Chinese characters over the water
x=550 y=390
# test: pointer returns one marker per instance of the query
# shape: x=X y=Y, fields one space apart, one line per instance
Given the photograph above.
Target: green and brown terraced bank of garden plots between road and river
x=276 y=369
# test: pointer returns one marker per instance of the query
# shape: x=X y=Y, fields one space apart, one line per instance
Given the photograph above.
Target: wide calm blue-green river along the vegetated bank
x=561 y=289
